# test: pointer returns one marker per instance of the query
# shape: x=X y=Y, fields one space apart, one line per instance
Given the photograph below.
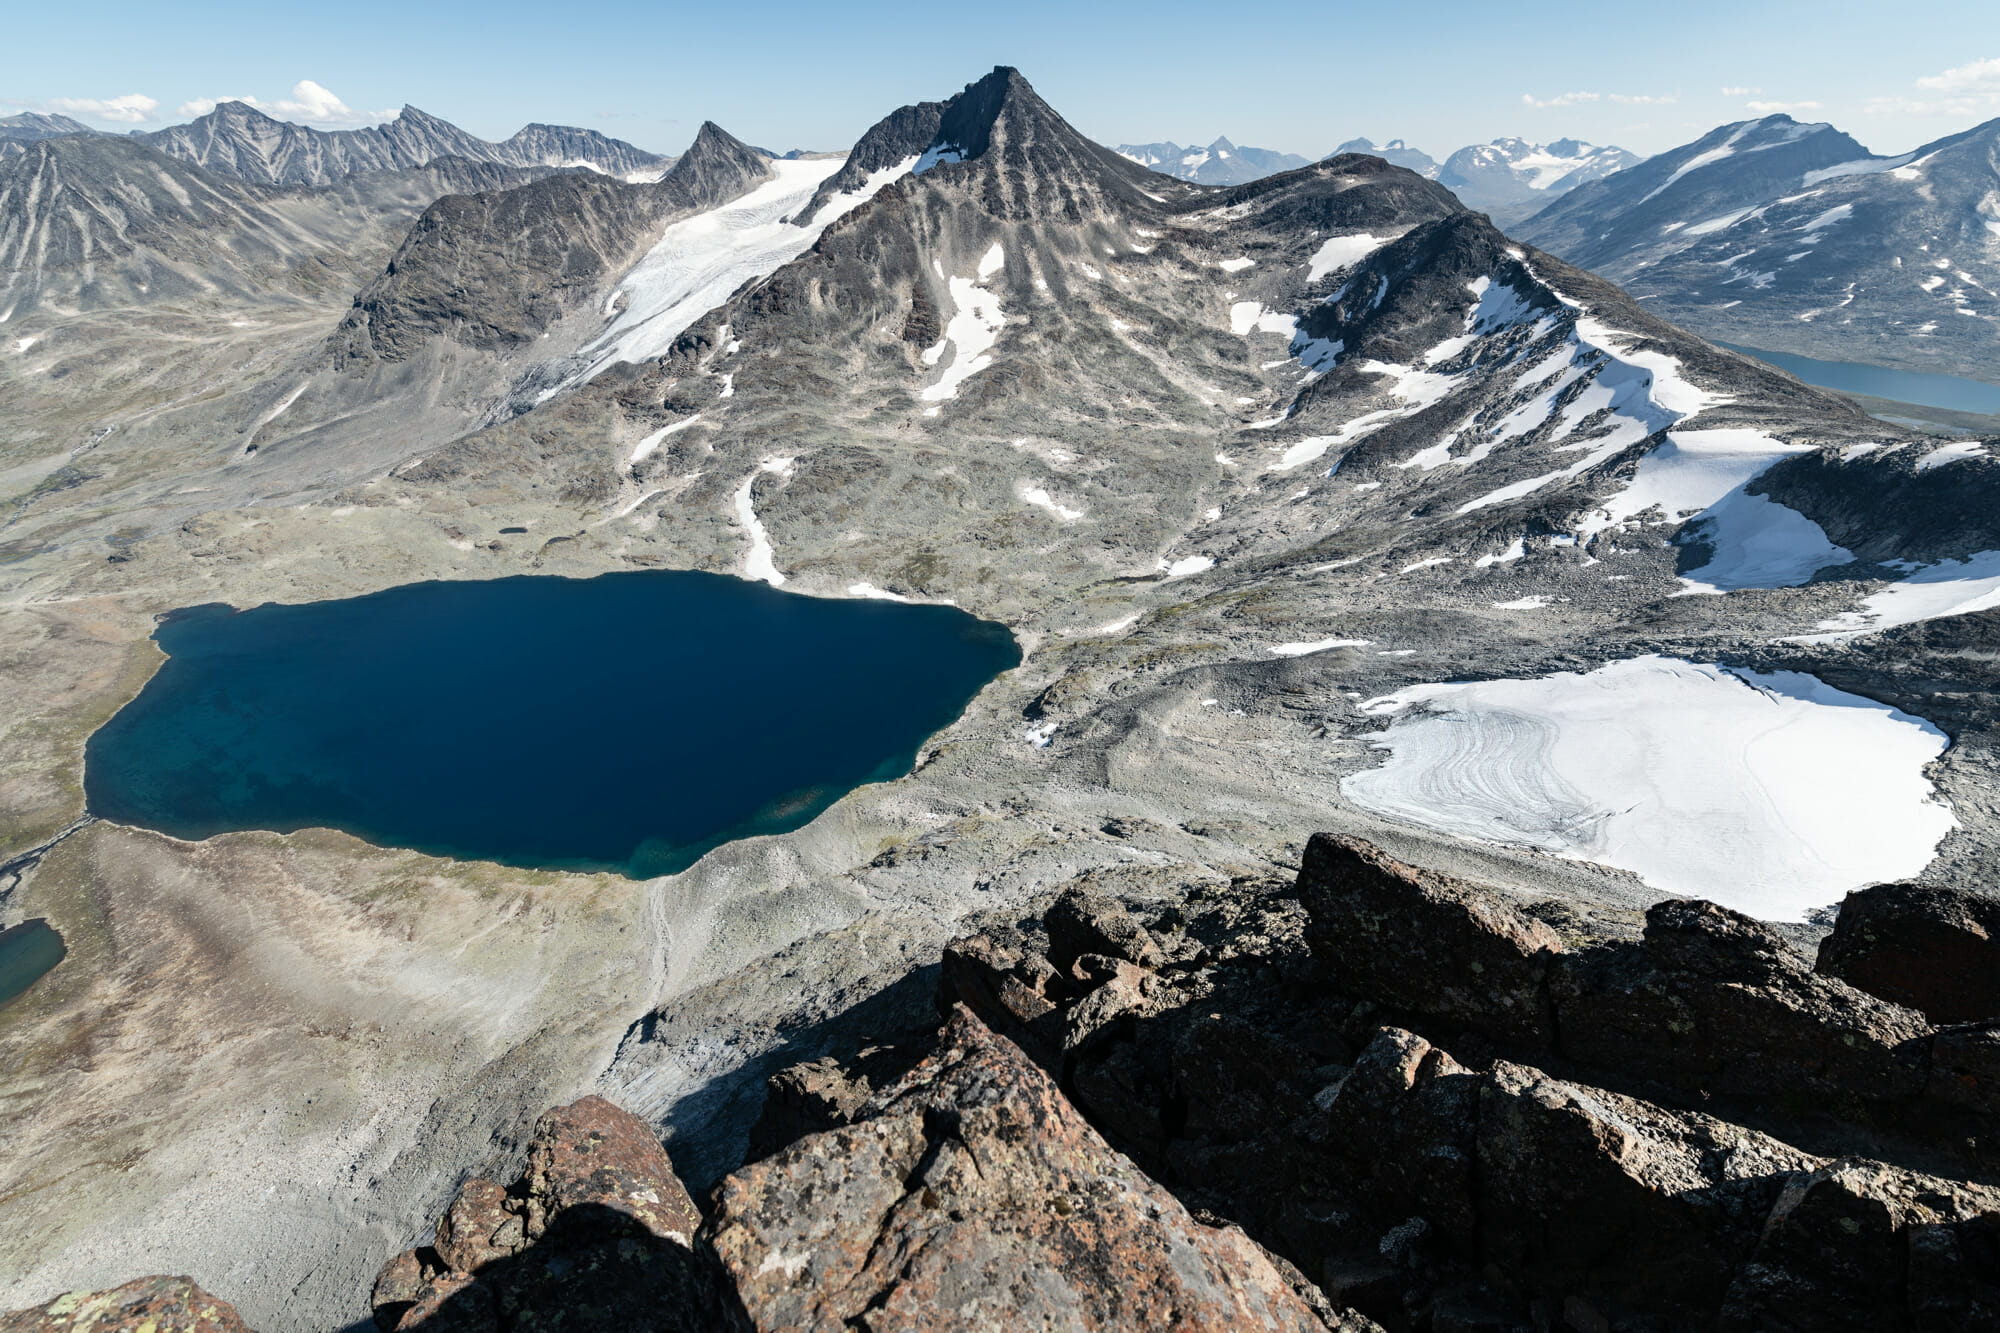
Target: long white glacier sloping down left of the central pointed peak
x=701 y=261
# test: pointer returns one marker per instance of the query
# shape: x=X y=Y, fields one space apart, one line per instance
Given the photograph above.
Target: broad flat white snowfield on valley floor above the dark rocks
x=1769 y=794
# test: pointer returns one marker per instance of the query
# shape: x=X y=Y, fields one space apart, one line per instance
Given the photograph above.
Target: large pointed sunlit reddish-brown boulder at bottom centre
x=971 y=1196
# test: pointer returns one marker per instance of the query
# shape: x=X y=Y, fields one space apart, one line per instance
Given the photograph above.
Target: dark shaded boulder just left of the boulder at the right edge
x=1717 y=1002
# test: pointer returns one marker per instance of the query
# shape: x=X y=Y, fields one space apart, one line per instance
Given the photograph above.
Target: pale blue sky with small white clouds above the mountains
x=1299 y=79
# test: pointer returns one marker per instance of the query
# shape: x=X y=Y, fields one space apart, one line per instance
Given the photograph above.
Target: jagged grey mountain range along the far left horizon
x=241 y=141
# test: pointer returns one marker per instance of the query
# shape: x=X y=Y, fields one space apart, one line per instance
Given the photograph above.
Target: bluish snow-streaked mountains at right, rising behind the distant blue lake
x=1795 y=237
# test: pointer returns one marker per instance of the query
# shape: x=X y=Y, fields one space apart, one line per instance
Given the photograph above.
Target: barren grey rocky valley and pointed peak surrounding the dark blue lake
x=1245 y=471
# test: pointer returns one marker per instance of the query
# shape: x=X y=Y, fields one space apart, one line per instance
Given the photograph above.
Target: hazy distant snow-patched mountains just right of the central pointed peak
x=1507 y=179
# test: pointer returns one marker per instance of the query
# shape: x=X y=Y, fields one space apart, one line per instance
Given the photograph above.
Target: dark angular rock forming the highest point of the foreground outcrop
x=1423 y=942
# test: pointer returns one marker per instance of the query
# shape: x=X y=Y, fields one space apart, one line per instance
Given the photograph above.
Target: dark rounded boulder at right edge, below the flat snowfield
x=1923 y=948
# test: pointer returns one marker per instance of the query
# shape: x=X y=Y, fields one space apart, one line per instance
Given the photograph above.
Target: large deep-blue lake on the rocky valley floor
x=619 y=724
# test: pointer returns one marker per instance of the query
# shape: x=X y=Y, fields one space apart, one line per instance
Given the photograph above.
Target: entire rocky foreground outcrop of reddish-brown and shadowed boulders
x=1375 y=1098
